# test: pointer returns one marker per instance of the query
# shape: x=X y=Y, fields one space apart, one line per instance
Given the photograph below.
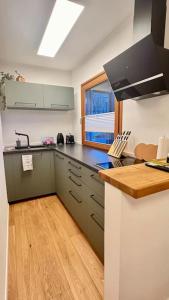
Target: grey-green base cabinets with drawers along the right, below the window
x=82 y=193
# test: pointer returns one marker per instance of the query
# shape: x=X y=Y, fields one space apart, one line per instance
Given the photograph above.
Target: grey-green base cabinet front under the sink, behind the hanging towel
x=23 y=185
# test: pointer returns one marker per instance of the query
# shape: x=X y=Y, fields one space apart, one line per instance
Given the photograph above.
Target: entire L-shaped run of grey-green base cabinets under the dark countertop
x=79 y=188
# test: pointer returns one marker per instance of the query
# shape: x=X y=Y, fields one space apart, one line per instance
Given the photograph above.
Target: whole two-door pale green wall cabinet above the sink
x=25 y=95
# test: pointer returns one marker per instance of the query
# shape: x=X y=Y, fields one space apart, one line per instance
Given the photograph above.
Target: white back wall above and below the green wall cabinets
x=36 y=123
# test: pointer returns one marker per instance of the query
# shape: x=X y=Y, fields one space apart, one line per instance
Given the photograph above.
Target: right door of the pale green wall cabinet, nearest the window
x=58 y=97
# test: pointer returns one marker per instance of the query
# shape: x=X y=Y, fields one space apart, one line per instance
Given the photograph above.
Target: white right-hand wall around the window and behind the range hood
x=147 y=119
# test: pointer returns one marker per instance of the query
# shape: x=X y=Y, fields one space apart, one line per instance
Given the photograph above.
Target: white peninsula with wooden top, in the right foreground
x=136 y=233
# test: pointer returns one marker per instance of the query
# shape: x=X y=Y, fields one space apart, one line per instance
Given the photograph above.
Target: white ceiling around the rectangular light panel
x=23 y=22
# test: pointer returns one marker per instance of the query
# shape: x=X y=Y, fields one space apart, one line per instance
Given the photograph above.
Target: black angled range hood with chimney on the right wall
x=142 y=71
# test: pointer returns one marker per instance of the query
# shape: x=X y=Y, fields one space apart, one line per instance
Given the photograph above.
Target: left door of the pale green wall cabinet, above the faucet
x=24 y=95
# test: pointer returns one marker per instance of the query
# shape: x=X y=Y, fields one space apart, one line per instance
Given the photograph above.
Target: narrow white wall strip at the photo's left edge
x=3 y=225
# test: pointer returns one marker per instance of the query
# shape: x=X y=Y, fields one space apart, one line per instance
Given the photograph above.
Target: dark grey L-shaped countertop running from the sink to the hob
x=86 y=155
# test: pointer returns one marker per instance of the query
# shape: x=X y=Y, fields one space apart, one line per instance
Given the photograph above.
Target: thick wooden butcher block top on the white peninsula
x=137 y=180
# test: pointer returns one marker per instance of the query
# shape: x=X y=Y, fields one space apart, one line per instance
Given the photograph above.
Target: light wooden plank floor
x=49 y=258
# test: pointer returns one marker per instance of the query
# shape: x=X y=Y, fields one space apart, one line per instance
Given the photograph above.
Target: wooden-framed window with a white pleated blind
x=101 y=113
